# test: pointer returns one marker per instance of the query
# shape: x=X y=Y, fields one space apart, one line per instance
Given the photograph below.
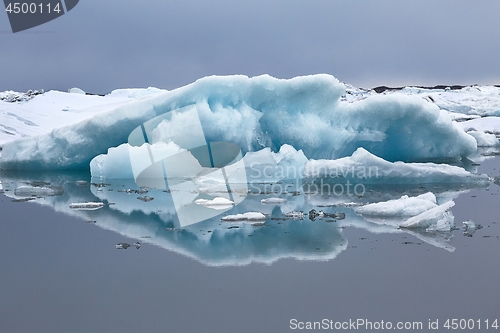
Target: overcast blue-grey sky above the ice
x=103 y=45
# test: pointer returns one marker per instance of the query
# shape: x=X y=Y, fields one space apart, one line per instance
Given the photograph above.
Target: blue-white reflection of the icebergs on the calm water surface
x=300 y=226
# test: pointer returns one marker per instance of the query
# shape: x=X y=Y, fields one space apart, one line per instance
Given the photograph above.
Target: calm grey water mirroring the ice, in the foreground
x=62 y=271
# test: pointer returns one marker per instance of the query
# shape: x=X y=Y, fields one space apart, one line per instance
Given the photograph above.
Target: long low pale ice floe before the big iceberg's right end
x=364 y=167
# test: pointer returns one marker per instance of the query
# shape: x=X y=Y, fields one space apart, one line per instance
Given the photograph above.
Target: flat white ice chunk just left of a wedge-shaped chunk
x=403 y=207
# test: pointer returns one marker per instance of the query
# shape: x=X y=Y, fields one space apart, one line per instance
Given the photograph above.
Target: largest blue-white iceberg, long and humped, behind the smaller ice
x=254 y=113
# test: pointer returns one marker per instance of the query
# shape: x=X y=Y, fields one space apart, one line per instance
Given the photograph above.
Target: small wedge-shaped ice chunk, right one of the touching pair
x=436 y=219
